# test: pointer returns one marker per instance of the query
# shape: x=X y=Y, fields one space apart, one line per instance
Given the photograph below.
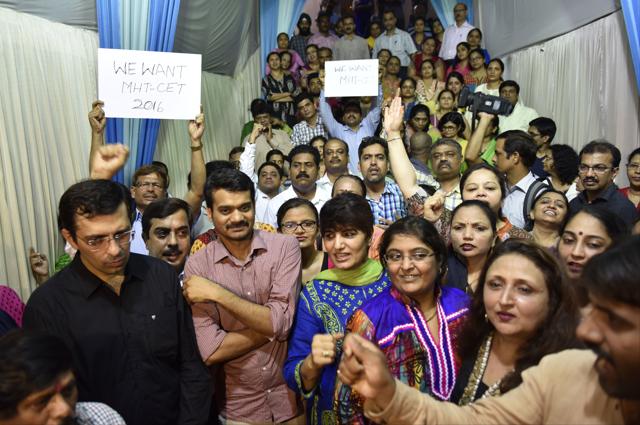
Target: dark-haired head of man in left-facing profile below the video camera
x=515 y=149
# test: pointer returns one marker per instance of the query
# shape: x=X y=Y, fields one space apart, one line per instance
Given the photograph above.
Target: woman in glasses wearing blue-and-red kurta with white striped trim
x=416 y=321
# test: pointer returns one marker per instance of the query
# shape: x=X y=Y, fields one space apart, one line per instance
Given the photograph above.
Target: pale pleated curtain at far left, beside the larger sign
x=47 y=83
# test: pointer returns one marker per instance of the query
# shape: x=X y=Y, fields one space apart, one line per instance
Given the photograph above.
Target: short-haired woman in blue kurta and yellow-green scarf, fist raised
x=327 y=302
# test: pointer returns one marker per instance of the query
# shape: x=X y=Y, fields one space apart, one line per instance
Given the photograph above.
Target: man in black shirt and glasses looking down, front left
x=122 y=315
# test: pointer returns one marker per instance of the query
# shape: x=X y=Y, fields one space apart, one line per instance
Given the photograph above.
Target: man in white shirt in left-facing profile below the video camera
x=515 y=154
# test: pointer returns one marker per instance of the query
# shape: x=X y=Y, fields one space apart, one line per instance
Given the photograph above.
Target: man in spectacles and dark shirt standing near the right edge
x=599 y=165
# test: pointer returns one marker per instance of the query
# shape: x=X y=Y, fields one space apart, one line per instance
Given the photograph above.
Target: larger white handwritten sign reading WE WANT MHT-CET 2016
x=140 y=84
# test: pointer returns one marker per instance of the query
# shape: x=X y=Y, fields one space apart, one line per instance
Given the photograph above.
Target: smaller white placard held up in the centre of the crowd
x=351 y=78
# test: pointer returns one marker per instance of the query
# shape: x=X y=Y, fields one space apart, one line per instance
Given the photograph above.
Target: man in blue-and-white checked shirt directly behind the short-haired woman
x=385 y=198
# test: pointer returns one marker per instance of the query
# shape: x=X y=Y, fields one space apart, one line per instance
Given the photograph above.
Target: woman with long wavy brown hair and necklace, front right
x=521 y=311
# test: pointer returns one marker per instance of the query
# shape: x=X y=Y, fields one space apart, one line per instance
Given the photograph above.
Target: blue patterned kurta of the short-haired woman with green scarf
x=324 y=307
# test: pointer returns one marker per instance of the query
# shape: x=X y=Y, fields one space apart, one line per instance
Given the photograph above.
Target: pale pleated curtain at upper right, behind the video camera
x=584 y=81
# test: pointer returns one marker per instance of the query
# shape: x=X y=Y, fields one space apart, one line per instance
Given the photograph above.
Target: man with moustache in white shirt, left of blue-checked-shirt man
x=304 y=163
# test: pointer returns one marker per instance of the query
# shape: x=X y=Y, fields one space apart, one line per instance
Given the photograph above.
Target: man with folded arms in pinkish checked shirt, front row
x=243 y=287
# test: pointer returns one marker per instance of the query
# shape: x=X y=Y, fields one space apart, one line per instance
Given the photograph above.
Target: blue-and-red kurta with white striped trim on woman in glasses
x=413 y=356
